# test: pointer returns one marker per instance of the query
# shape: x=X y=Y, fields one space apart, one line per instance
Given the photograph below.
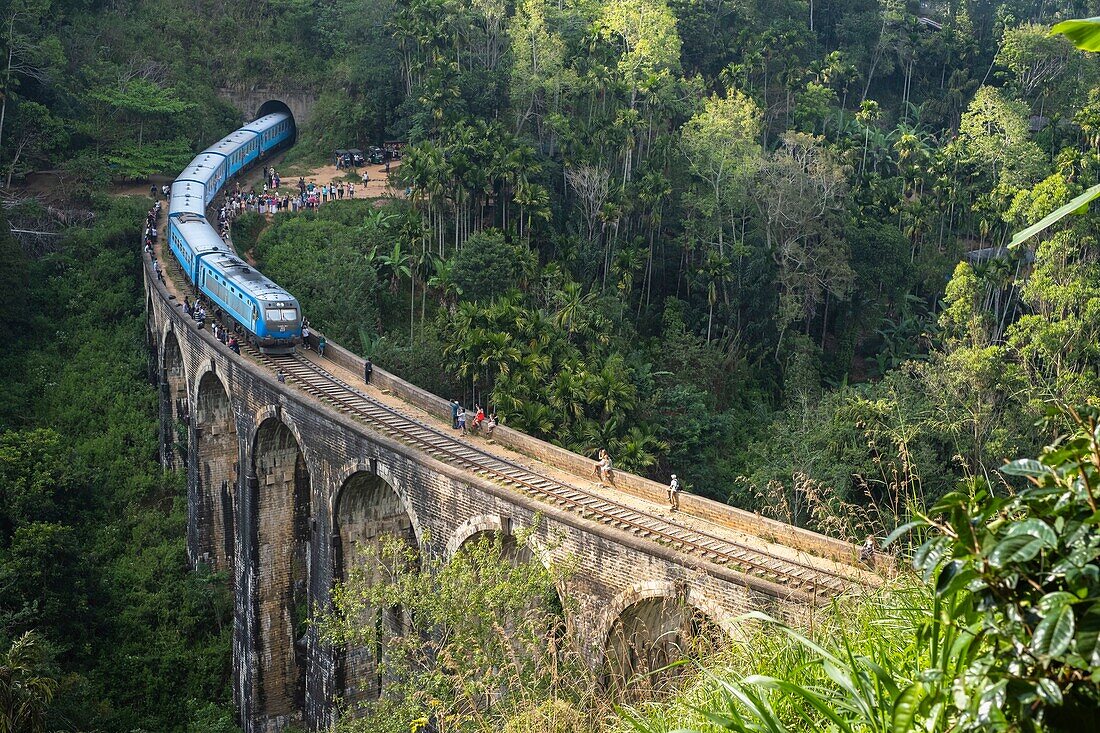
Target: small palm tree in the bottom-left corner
x=25 y=692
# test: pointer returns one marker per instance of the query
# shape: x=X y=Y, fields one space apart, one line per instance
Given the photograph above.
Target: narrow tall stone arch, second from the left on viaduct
x=218 y=471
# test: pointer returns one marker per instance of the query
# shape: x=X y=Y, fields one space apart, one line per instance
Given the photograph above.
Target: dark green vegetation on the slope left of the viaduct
x=93 y=549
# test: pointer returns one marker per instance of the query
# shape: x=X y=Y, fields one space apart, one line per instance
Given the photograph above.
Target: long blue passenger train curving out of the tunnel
x=270 y=314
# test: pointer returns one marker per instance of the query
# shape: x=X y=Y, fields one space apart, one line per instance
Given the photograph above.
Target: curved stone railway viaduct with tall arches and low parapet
x=282 y=488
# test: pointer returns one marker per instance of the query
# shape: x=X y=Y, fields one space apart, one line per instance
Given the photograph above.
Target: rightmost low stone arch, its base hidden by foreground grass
x=650 y=627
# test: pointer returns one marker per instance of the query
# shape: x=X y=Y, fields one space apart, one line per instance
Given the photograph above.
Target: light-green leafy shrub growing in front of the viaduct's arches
x=485 y=637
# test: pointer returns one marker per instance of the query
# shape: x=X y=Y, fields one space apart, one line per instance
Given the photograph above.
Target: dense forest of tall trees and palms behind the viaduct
x=637 y=223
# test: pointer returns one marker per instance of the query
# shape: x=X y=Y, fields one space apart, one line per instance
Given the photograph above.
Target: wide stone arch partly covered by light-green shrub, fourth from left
x=368 y=509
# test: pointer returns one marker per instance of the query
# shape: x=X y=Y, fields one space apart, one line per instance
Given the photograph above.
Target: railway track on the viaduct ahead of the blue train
x=349 y=400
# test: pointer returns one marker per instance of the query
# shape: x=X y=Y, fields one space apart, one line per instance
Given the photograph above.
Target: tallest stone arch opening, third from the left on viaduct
x=280 y=482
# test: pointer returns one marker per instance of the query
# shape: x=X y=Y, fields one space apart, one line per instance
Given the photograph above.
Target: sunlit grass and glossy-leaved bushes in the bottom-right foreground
x=1000 y=631
